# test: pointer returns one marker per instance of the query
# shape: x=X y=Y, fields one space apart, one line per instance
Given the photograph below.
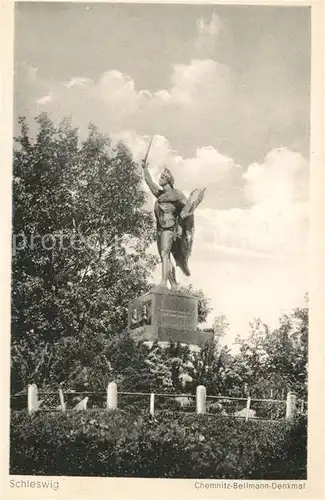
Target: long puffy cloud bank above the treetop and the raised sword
x=196 y=96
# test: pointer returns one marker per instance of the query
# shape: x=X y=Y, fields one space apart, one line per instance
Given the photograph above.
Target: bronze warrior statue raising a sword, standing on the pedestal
x=175 y=222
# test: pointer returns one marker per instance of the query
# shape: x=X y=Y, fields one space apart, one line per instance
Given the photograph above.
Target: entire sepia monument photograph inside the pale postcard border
x=160 y=241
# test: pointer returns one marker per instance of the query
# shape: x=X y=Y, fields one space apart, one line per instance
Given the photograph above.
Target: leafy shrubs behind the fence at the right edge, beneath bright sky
x=272 y=362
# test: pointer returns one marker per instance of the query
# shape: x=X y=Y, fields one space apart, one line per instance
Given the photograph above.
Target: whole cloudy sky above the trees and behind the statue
x=225 y=90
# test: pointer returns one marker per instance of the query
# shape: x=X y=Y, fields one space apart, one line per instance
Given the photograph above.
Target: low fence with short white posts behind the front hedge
x=111 y=399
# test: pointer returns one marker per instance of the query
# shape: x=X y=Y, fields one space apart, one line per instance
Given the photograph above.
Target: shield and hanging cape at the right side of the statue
x=182 y=246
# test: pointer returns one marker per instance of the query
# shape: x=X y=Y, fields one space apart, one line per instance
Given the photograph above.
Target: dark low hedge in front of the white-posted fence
x=173 y=445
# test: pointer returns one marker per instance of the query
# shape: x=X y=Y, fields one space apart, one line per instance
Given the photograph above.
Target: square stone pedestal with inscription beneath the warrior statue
x=165 y=315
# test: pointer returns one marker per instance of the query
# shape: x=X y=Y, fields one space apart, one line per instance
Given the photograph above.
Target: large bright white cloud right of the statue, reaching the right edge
x=276 y=223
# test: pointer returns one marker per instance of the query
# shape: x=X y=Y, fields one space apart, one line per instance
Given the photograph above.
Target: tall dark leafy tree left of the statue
x=80 y=235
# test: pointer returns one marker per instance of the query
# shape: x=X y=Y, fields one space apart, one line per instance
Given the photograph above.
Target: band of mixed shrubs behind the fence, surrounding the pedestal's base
x=90 y=361
